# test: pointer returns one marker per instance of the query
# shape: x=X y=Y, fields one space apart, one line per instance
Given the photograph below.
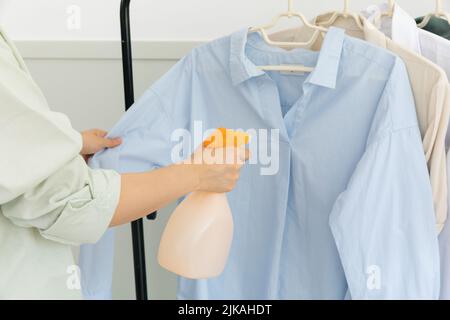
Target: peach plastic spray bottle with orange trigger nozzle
x=197 y=239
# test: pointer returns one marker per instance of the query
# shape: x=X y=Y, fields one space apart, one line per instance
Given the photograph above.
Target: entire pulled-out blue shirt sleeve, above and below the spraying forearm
x=146 y=129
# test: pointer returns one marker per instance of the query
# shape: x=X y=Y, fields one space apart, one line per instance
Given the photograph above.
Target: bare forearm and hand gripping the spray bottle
x=146 y=192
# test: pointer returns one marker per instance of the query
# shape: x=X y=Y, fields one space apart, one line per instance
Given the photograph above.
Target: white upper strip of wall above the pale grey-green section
x=165 y=19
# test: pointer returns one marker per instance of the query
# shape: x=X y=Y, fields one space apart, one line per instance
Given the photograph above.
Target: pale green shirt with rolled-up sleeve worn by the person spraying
x=49 y=198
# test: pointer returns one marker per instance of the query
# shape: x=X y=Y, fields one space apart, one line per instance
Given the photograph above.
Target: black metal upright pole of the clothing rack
x=137 y=227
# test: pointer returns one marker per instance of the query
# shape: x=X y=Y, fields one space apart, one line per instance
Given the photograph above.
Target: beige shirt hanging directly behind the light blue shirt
x=431 y=92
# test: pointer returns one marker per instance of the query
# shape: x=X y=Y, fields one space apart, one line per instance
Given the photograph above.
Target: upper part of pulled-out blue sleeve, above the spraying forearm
x=148 y=126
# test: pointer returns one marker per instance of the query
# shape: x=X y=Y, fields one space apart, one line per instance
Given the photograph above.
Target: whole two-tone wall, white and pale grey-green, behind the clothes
x=89 y=88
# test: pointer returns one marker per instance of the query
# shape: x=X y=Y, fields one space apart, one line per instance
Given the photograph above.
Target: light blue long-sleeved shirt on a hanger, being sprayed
x=350 y=210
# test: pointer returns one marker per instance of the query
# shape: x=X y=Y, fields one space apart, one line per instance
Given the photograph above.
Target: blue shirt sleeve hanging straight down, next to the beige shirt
x=384 y=223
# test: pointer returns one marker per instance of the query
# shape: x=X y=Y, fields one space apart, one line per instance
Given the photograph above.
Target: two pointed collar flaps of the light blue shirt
x=325 y=72
